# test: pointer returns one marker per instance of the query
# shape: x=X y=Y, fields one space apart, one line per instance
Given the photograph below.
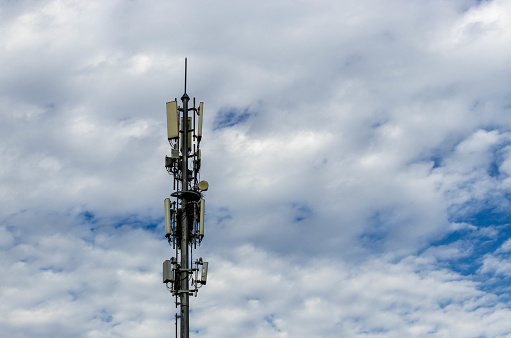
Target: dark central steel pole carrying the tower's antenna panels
x=185 y=321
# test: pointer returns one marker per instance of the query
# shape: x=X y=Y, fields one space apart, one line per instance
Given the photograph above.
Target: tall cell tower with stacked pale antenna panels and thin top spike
x=184 y=216
